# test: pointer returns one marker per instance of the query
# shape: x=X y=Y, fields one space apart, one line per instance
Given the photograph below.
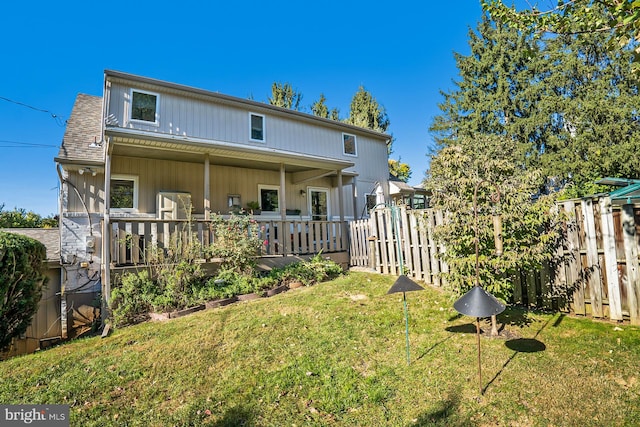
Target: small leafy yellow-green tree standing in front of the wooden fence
x=472 y=180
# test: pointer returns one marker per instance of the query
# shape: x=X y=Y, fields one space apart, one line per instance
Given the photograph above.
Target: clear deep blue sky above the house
x=400 y=51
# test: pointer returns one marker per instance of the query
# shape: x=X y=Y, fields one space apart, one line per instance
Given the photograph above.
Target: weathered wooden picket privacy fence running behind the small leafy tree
x=594 y=272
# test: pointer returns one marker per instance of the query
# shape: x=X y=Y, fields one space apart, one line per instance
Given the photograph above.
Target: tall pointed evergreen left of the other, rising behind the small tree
x=494 y=91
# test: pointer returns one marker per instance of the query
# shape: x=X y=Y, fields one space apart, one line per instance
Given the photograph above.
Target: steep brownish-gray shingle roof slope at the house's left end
x=83 y=128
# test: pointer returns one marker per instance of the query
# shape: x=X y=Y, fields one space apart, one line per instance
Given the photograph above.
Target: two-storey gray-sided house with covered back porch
x=149 y=155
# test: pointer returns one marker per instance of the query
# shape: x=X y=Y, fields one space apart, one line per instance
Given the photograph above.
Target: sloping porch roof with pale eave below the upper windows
x=136 y=143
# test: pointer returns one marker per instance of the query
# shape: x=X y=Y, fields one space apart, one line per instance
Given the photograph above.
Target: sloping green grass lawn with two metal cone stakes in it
x=334 y=354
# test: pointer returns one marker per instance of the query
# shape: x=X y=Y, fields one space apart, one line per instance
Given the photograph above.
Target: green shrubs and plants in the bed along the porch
x=173 y=280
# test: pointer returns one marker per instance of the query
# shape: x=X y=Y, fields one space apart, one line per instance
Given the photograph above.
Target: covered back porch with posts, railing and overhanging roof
x=220 y=177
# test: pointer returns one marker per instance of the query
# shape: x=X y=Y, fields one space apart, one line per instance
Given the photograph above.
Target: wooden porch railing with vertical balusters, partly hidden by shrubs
x=132 y=238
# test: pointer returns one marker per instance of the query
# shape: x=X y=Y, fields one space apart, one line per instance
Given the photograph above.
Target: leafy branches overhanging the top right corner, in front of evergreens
x=620 y=18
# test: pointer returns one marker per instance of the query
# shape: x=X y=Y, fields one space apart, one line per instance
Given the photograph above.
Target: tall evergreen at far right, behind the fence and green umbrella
x=588 y=110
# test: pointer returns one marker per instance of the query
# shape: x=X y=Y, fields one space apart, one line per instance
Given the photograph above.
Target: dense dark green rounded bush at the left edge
x=21 y=282
